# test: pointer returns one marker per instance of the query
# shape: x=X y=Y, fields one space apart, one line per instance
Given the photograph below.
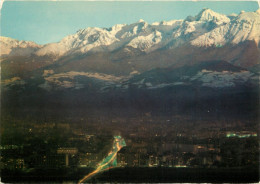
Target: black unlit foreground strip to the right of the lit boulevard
x=173 y=175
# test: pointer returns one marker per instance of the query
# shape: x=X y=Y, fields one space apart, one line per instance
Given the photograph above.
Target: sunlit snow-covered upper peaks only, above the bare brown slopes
x=206 y=29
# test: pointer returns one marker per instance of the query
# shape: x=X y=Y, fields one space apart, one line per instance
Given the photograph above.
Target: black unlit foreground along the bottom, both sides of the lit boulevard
x=139 y=175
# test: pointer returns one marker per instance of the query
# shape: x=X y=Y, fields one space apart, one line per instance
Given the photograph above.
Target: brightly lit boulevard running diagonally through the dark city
x=109 y=161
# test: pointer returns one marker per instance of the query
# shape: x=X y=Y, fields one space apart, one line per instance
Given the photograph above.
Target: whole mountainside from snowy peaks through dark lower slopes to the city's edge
x=204 y=64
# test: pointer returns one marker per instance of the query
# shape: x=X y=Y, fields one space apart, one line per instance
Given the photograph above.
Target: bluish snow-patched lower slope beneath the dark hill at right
x=204 y=77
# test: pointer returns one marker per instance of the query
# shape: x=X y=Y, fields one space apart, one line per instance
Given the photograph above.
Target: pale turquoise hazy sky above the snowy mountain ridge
x=45 y=22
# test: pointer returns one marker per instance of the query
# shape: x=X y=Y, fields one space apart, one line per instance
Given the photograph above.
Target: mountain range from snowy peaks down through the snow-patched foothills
x=123 y=56
